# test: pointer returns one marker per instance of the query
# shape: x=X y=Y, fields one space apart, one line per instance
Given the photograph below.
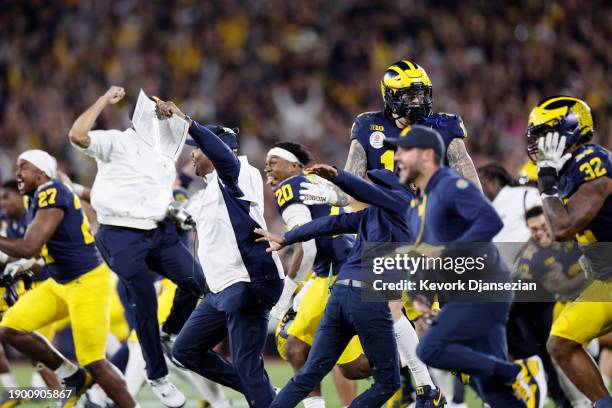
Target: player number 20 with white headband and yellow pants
x=324 y=255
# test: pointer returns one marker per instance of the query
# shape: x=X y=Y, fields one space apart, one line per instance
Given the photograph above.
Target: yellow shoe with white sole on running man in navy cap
x=529 y=385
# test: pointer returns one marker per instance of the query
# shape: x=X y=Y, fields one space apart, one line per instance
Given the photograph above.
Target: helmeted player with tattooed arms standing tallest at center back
x=407 y=100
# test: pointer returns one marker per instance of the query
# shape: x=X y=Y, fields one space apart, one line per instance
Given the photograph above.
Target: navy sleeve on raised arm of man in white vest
x=225 y=161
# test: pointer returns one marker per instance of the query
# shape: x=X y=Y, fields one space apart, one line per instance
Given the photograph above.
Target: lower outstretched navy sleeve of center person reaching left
x=330 y=225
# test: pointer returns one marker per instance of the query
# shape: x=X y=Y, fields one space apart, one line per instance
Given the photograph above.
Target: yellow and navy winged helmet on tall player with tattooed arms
x=407 y=91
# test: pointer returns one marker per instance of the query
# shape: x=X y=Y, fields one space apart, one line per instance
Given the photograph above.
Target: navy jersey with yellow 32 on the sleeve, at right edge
x=588 y=163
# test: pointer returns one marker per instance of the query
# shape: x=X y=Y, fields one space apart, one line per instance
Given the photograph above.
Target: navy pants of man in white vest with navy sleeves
x=240 y=311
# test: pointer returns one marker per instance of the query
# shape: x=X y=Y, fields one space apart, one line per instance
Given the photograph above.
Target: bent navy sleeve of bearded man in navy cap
x=476 y=209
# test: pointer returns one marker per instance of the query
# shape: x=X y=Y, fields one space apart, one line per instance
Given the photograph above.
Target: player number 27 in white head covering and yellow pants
x=79 y=288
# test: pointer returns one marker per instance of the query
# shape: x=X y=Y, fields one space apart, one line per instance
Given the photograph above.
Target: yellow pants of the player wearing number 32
x=583 y=320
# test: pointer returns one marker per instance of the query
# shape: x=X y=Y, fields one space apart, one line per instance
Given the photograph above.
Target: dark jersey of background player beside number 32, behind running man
x=536 y=261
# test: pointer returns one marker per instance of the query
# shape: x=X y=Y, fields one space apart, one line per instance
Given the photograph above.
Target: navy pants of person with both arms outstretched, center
x=346 y=314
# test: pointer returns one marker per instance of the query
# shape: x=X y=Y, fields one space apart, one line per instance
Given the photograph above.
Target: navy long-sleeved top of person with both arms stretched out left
x=384 y=221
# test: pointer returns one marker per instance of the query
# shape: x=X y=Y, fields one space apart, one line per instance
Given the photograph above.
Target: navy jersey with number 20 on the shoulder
x=331 y=250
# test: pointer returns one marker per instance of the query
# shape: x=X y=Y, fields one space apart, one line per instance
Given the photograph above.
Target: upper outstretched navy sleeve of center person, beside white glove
x=370 y=193
